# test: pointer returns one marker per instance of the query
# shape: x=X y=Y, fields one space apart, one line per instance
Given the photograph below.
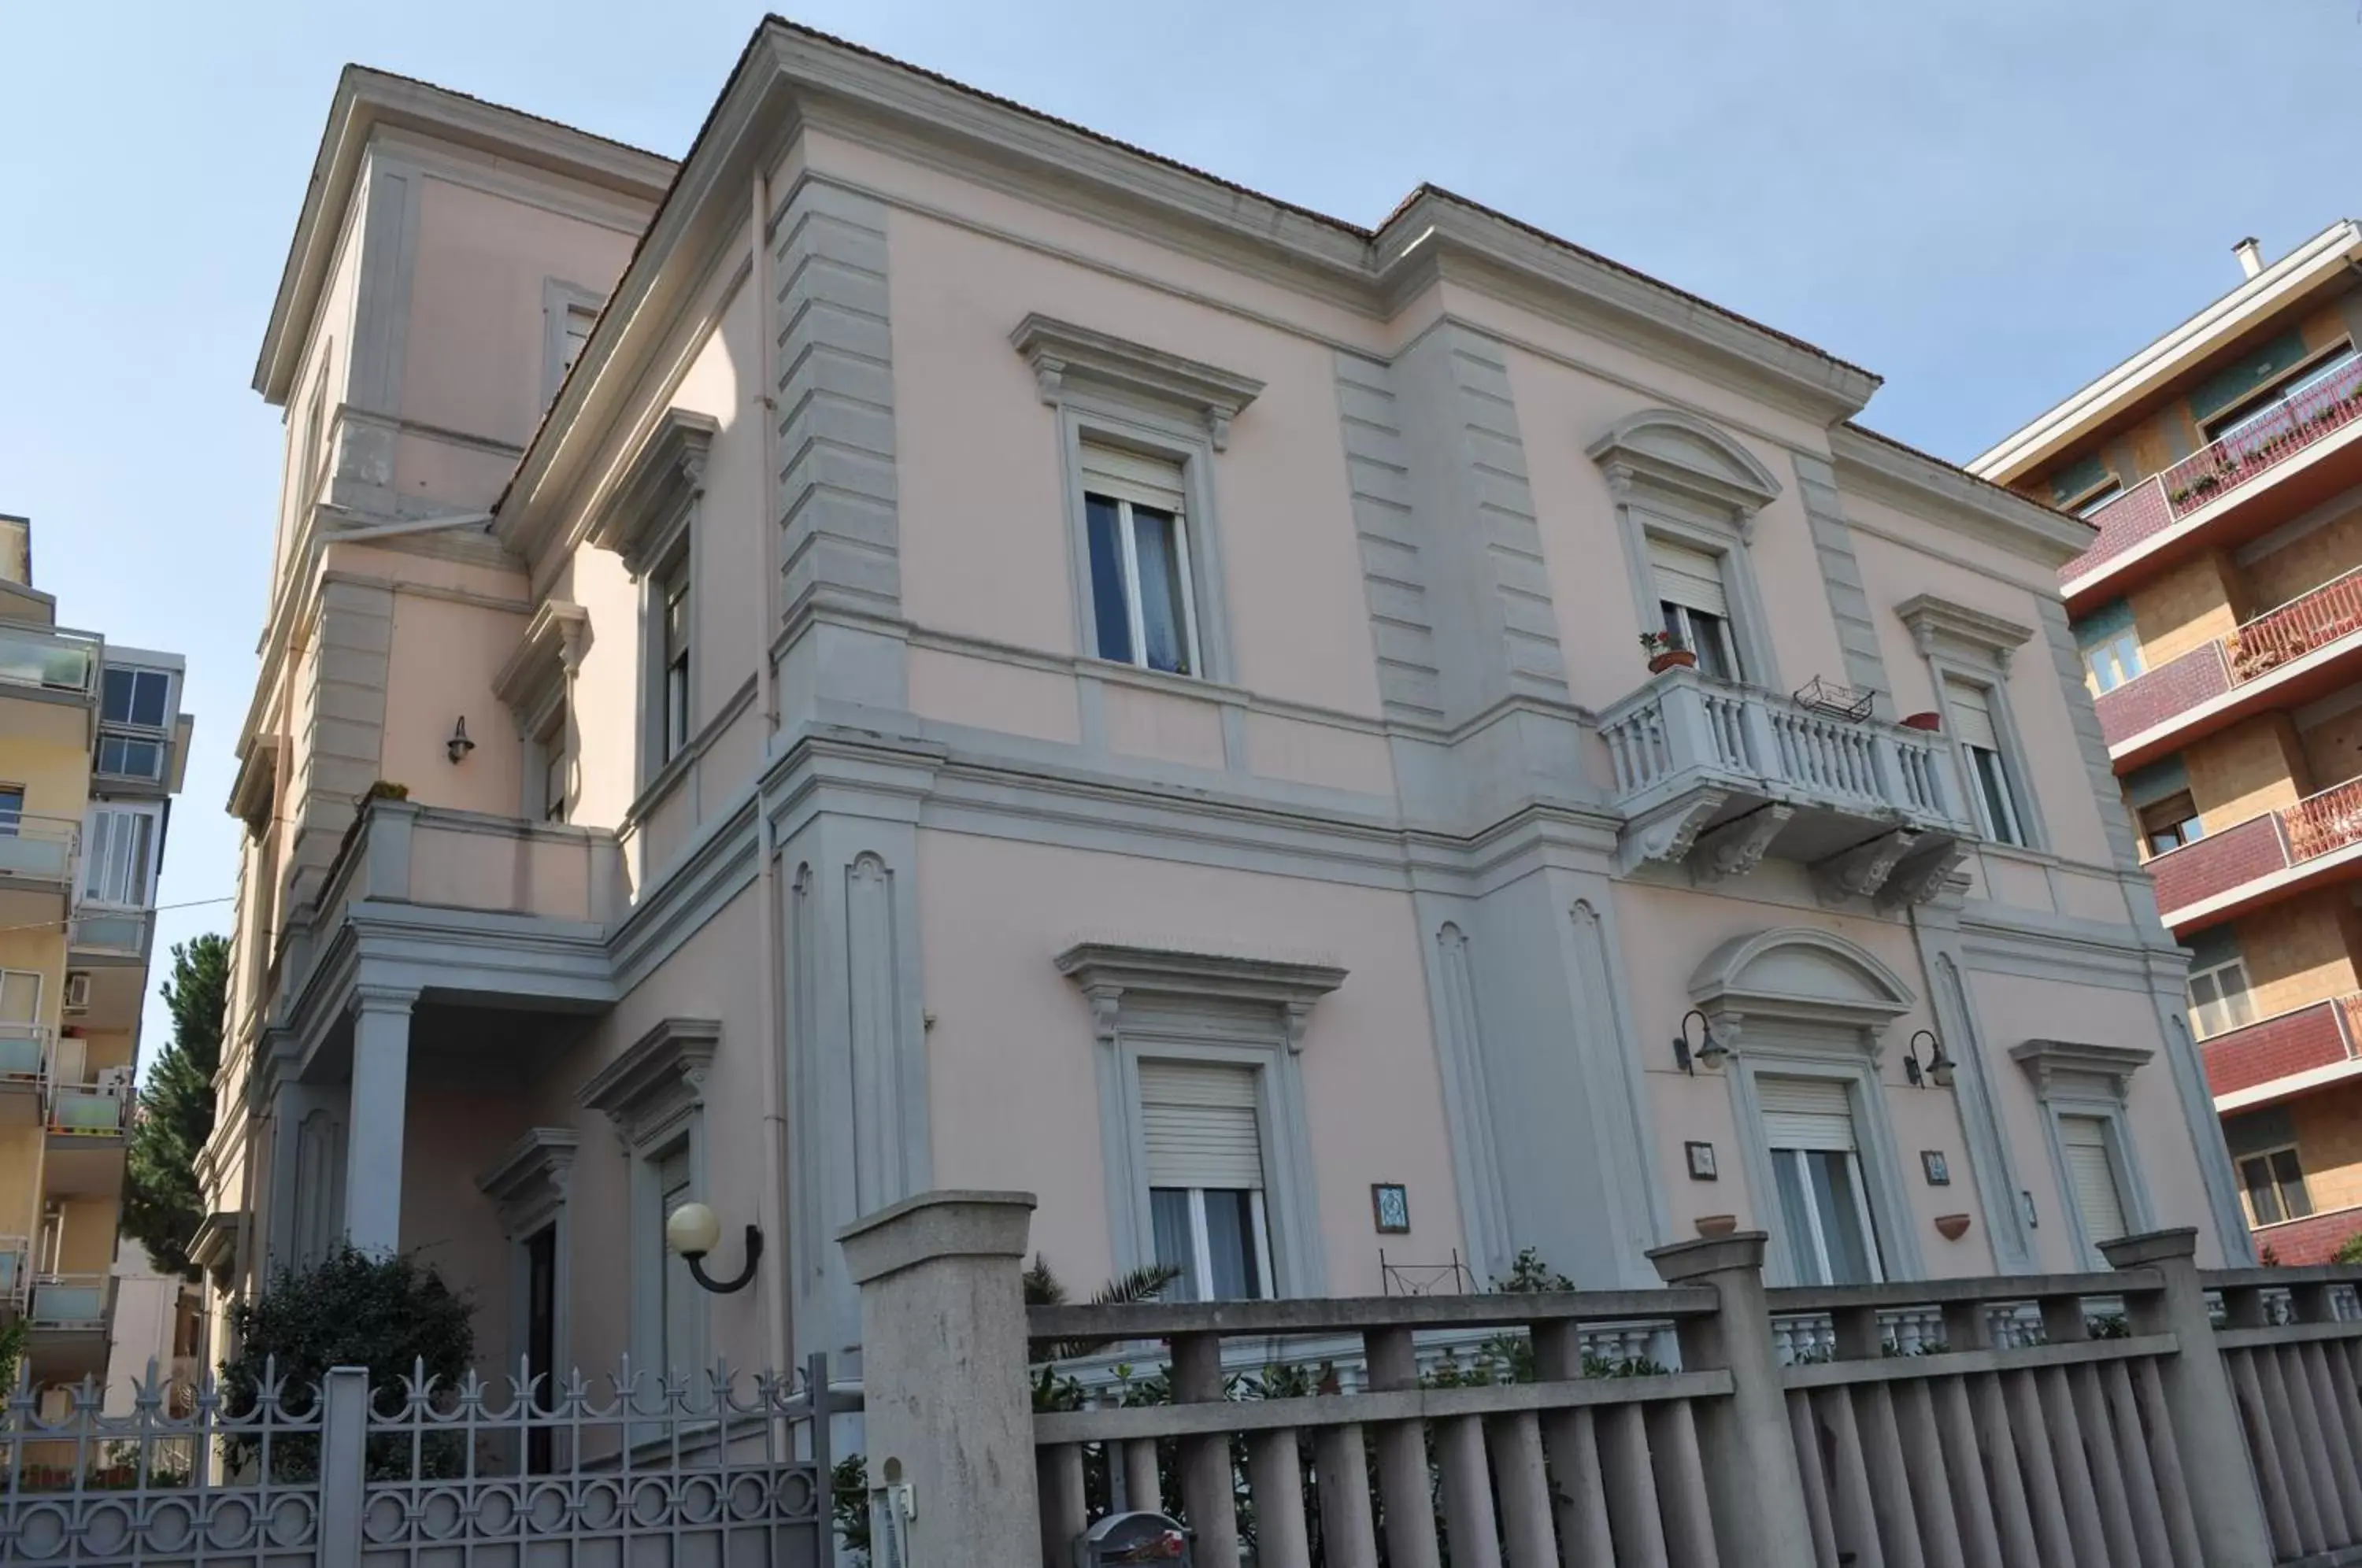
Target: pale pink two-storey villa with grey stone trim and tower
x=927 y=648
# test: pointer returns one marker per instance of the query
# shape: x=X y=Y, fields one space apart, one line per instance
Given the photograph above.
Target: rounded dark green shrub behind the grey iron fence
x=353 y=1309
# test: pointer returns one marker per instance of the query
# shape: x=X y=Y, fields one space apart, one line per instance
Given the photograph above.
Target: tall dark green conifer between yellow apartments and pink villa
x=162 y=1201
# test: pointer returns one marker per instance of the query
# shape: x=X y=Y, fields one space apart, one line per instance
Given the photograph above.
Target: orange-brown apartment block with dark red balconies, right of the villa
x=2221 y=618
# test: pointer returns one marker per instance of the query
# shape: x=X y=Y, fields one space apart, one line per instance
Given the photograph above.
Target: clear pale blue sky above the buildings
x=1985 y=202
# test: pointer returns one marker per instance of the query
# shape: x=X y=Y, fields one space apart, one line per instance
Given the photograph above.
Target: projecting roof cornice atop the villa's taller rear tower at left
x=367 y=100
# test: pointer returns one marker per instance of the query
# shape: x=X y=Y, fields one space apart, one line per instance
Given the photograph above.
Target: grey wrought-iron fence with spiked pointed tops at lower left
x=689 y=1472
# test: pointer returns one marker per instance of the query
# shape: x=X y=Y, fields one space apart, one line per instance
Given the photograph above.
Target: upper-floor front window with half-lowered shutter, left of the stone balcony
x=1144 y=601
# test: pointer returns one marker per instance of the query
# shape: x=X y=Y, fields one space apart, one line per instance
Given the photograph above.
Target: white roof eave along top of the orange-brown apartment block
x=2172 y=355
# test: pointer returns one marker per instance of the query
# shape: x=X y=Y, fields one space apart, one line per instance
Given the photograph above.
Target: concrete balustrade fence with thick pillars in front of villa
x=2148 y=1416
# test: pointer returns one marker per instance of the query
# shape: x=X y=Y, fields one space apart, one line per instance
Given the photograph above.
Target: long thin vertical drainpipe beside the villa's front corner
x=764 y=407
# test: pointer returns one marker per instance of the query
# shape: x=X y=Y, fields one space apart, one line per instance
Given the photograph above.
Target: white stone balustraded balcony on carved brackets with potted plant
x=1718 y=776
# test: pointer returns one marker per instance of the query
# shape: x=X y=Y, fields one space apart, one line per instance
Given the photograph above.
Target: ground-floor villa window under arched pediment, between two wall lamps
x=1818 y=1170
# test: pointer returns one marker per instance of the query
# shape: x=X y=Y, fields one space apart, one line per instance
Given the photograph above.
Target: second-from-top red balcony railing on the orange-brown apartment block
x=2314 y=622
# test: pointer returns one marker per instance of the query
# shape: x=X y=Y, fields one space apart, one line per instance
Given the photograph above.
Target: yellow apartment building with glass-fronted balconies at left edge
x=93 y=745
